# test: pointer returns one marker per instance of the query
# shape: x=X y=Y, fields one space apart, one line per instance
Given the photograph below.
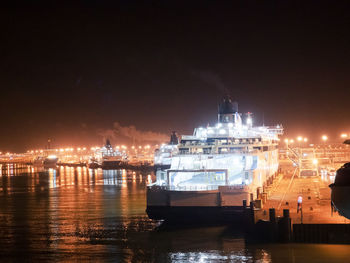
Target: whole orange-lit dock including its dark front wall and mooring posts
x=279 y=219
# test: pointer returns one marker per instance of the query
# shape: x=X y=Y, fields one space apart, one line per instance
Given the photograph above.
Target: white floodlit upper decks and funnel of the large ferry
x=232 y=152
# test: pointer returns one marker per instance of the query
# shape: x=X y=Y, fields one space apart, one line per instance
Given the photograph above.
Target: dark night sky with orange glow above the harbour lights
x=69 y=71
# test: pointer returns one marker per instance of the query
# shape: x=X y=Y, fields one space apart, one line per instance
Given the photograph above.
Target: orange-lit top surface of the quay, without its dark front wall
x=285 y=190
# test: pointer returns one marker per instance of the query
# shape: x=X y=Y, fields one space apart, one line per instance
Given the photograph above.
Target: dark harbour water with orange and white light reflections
x=77 y=214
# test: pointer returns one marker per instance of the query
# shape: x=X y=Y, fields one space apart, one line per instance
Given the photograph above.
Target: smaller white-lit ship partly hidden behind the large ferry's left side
x=163 y=155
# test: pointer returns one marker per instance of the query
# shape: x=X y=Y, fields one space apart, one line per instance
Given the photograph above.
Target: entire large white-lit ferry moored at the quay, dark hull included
x=215 y=169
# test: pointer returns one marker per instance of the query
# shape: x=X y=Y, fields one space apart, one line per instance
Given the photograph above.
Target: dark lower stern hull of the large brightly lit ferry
x=221 y=206
